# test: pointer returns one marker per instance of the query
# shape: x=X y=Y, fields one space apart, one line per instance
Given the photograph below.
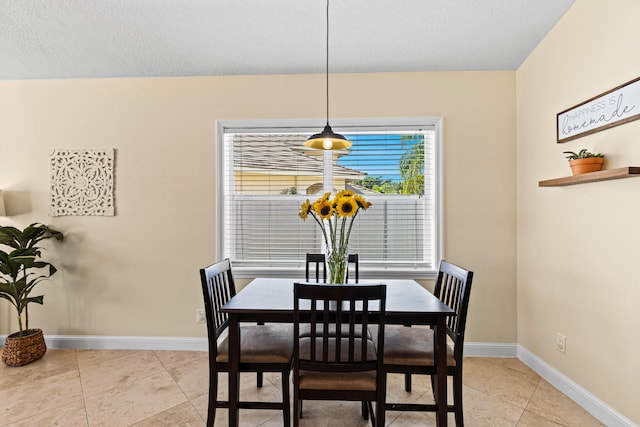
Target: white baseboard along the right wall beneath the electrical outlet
x=596 y=407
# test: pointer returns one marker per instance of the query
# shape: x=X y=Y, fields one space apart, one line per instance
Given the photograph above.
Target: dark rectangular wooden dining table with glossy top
x=271 y=300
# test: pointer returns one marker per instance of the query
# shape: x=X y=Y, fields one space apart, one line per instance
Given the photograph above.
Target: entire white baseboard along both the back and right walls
x=596 y=407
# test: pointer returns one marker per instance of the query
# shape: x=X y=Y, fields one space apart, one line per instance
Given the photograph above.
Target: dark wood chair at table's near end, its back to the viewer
x=339 y=366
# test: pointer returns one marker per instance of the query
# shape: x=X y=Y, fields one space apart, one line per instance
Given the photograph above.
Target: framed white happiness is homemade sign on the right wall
x=614 y=107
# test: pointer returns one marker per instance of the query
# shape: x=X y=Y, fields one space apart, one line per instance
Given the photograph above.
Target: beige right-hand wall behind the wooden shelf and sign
x=577 y=245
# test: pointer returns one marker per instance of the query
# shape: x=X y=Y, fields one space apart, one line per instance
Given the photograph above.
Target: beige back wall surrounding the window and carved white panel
x=137 y=273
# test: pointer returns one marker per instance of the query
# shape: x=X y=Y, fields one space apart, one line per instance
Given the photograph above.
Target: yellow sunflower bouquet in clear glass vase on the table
x=332 y=215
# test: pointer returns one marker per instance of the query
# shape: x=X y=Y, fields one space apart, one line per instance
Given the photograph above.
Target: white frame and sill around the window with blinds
x=373 y=270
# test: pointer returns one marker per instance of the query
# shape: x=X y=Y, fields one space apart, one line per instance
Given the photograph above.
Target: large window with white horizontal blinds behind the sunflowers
x=265 y=173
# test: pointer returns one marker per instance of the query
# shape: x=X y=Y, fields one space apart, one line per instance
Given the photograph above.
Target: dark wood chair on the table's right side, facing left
x=411 y=350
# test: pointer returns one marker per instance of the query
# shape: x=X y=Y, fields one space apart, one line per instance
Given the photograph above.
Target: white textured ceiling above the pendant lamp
x=60 y=39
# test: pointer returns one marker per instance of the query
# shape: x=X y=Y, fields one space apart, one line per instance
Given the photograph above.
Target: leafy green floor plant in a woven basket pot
x=21 y=269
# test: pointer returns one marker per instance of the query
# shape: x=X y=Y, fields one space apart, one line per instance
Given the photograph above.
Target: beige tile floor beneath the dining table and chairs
x=169 y=388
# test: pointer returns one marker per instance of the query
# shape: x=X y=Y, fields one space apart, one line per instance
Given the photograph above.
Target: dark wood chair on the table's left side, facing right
x=264 y=348
